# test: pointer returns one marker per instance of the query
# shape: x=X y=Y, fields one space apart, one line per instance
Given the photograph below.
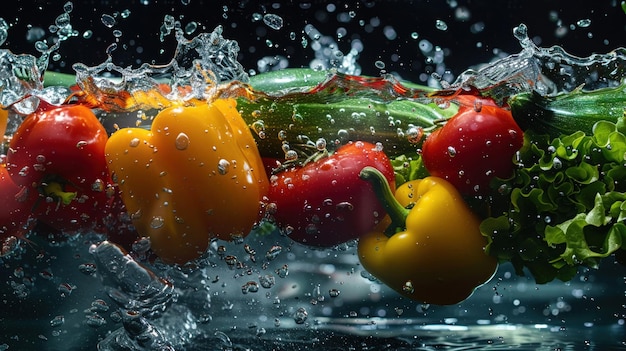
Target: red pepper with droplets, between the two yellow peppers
x=325 y=203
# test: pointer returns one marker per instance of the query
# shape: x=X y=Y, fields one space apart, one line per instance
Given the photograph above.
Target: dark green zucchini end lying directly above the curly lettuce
x=568 y=112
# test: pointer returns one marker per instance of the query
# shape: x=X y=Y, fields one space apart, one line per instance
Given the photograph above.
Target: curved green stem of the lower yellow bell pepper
x=381 y=186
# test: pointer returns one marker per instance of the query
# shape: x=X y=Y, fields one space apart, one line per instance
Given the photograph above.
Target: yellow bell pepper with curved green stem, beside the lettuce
x=433 y=251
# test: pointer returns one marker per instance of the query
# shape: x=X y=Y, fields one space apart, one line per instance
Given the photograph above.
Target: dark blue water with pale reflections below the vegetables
x=60 y=297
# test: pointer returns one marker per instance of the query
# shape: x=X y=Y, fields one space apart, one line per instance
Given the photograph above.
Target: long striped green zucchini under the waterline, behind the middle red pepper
x=299 y=106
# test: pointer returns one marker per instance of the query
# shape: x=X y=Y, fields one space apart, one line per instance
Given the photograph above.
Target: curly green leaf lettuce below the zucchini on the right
x=566 y=203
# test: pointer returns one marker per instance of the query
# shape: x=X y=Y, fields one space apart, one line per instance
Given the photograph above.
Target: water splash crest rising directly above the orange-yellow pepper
x=198 y=71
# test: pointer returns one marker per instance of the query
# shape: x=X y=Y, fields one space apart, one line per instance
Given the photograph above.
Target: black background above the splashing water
x=140 y=30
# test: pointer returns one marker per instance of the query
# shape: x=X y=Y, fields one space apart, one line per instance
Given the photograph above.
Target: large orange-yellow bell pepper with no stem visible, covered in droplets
x=195 y=175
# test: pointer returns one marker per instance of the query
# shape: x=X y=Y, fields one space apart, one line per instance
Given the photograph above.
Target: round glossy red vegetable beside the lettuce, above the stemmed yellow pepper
x=473 y=147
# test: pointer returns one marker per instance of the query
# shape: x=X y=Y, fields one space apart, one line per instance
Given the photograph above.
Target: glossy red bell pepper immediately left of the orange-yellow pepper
x=64 y=144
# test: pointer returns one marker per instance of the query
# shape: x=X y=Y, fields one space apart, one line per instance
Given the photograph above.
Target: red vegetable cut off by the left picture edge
x=15 y=215
